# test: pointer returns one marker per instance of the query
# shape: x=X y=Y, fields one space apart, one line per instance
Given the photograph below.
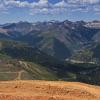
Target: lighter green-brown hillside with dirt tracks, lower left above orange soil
x=14 y=69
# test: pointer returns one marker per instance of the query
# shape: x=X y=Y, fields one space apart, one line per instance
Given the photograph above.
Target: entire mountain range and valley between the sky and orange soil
x=50 y=50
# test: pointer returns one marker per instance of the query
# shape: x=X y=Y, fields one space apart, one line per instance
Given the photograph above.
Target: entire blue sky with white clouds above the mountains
x=46 y=10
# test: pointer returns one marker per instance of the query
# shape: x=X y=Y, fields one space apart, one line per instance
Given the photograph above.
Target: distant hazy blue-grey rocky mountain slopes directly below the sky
x=59 y=39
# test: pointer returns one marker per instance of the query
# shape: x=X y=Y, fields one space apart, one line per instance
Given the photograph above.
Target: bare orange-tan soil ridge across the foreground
x=48 y=90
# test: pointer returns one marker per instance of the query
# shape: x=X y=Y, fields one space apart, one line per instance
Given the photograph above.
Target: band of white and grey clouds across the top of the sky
x=46 y=7
